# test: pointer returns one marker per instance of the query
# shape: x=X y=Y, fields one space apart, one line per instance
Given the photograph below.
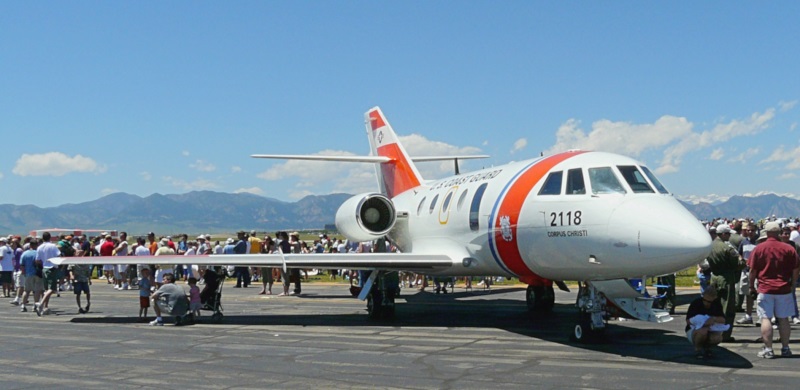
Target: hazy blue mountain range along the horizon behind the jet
x=215 y=212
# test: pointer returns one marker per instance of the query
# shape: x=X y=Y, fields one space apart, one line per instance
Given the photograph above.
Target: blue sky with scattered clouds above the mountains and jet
x=155 y=97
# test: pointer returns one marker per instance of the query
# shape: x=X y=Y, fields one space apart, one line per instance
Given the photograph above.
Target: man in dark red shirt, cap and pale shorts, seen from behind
x=775 y=265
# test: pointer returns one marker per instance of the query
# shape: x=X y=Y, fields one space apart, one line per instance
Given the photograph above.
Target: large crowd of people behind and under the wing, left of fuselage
x=26 y=269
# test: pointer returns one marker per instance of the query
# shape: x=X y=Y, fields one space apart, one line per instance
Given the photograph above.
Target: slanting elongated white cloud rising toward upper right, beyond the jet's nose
x=722 y=132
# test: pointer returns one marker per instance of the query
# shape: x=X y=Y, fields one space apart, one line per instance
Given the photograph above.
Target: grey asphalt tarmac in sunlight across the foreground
x=323 y=339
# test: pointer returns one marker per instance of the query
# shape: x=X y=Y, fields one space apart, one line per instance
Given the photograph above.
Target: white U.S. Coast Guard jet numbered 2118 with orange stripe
x=598 y=218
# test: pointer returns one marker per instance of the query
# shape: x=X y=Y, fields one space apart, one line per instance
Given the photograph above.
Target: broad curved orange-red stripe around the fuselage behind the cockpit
x=508 y=251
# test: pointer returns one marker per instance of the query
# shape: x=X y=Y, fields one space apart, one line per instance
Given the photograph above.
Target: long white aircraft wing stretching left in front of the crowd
x=383 y=261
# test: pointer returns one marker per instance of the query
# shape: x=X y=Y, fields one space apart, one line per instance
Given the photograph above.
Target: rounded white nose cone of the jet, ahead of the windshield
x=668 y=237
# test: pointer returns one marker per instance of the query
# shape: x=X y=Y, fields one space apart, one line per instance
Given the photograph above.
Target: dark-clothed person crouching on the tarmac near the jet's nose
x=703 y=313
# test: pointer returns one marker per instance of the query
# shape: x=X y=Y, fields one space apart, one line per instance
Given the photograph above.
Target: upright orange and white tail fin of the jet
x=399 y=174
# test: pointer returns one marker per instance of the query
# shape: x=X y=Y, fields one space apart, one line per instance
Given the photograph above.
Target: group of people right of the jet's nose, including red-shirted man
x=751 y=264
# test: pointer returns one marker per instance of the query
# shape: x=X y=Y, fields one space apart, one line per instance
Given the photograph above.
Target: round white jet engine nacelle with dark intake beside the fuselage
x=365 y=217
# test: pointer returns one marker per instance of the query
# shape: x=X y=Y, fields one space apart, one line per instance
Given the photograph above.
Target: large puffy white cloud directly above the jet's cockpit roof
x=621 y=137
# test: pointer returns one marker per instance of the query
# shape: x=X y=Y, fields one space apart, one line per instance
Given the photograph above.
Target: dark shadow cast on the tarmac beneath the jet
x=648 y=341
